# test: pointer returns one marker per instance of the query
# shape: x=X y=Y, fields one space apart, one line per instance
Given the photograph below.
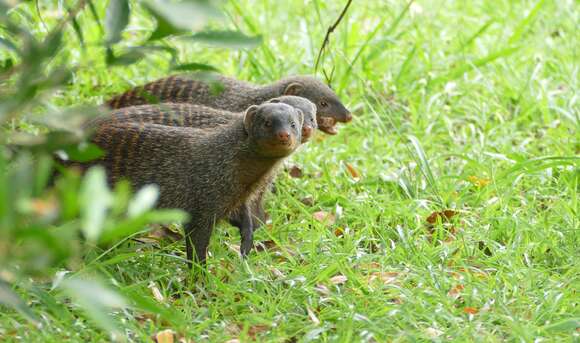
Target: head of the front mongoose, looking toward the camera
x=274 y=129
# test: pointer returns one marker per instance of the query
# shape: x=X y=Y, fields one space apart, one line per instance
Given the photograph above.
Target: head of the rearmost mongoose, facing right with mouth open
x=329 y=108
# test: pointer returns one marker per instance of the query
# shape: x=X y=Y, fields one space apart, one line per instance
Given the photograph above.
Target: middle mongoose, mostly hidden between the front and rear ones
x=202 y=117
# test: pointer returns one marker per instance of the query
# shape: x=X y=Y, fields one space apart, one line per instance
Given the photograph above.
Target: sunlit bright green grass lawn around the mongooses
x=466 y=105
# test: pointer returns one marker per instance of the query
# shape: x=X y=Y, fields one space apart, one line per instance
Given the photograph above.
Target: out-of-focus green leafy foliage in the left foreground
x=47 y=223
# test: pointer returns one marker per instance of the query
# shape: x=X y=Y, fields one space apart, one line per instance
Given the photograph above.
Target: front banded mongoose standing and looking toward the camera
x=207 y=173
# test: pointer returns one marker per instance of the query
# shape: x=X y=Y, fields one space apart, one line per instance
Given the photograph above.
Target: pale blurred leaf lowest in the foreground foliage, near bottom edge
x=95 y=299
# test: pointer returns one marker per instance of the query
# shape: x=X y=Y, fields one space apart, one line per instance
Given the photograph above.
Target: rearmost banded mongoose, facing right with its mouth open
x=238 y=95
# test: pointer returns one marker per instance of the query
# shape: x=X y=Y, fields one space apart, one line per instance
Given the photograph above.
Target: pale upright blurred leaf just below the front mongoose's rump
x=95 y=200
